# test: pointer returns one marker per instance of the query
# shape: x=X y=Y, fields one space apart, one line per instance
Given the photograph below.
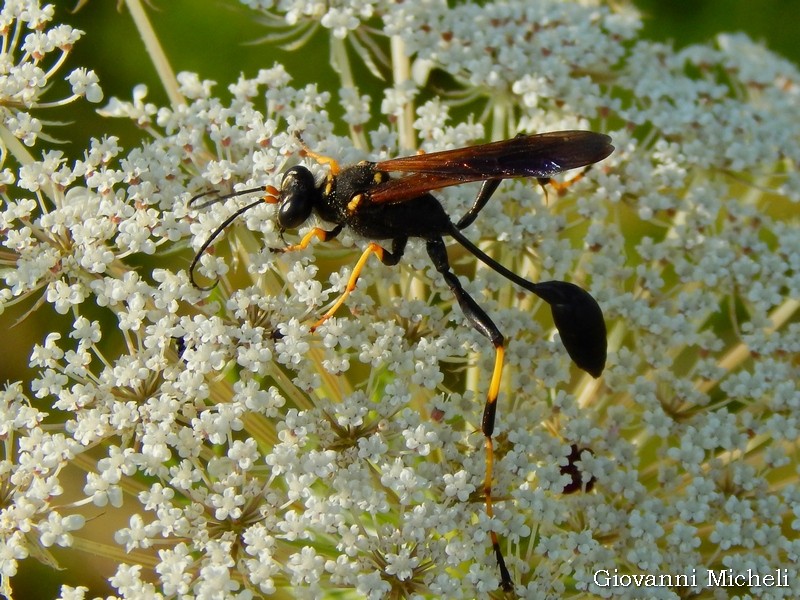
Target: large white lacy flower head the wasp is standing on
x=255 y=457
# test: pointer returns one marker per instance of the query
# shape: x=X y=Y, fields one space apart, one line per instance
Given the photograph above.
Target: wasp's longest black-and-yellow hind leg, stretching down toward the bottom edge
x=478 y=318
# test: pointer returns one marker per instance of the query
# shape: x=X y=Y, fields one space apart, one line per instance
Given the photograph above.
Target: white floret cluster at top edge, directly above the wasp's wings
x=541 y=50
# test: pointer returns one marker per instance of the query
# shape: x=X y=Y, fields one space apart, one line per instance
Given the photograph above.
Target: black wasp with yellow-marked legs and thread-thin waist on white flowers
x=376 y=206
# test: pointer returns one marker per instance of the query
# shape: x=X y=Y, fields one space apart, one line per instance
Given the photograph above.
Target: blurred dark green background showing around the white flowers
x=212 y=38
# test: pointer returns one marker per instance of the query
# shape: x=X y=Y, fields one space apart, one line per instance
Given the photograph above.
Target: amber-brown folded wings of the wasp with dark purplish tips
x=539 y=155
